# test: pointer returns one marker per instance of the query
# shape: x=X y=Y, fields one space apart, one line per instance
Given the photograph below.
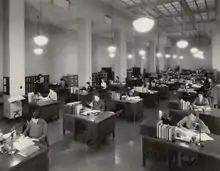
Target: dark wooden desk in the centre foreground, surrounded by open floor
x=97 y=128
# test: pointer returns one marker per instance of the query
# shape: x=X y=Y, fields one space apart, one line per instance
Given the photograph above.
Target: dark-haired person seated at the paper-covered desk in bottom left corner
x=36 y=128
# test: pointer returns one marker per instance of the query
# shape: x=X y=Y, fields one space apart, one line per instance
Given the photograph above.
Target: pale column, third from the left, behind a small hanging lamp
x=121 y=55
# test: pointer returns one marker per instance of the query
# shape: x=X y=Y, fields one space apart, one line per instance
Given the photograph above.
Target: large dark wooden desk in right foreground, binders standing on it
x=161 y=149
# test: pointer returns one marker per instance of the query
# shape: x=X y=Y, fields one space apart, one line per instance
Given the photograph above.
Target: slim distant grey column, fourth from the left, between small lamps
x=152 y=57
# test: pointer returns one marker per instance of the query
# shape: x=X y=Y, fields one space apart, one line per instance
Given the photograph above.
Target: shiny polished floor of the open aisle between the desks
x=122 y=154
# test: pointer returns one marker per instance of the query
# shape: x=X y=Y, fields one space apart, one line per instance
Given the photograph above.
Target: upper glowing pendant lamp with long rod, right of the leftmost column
x=40 y=39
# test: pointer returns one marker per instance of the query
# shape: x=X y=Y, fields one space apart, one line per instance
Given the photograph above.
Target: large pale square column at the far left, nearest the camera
x=14 y=45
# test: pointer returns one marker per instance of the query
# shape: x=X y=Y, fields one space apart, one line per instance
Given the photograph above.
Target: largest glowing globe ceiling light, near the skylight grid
x=143 y=24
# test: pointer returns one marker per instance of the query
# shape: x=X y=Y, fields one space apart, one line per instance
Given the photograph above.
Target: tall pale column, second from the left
x=84 y=51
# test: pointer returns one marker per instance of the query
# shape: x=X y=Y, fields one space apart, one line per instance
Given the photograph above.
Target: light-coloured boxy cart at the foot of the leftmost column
x=13 y=106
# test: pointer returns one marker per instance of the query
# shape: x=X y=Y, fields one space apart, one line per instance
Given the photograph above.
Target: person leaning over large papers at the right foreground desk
x=194 y=123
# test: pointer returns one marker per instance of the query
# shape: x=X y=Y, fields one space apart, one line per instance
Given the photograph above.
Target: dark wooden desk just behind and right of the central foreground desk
x=132 y=110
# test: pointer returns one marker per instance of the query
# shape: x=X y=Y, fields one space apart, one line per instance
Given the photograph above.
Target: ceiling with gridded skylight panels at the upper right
x=195 y=16
